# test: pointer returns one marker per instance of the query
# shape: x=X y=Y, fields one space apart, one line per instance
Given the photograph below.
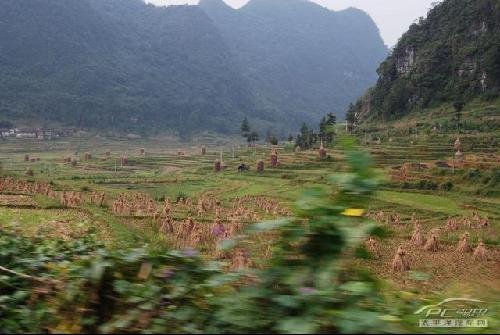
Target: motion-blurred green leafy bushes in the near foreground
x=307 y=287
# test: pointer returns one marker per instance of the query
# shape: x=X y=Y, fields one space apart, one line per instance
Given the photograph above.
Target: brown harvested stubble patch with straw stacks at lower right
x=443 y=261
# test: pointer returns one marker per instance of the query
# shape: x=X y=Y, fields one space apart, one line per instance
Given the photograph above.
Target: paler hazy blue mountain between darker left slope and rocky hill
x=302 y=60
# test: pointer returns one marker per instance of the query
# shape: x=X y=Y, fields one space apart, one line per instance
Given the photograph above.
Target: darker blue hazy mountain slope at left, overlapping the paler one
x=117 y=63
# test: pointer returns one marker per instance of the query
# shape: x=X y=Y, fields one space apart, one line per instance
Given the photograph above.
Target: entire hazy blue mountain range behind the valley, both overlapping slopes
x=132 y=66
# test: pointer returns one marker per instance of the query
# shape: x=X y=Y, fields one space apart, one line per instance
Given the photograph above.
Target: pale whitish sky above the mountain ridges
x=393 y=17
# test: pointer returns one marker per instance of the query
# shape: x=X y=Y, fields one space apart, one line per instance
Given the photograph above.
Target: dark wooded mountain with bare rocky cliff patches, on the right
x=451 y=56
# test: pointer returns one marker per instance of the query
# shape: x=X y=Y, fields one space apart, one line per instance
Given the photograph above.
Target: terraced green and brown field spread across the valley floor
x=172 y=169
